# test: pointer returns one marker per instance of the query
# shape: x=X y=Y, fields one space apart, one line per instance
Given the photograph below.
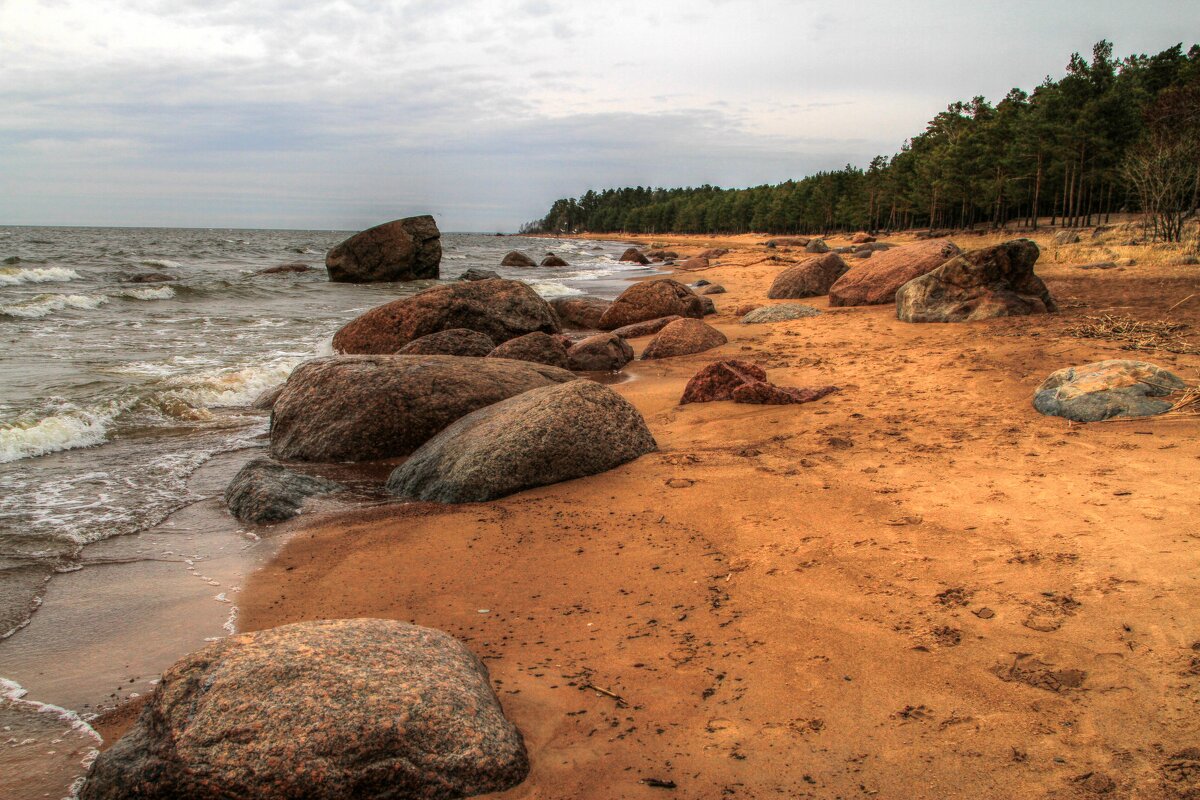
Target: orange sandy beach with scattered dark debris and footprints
x=917 y=587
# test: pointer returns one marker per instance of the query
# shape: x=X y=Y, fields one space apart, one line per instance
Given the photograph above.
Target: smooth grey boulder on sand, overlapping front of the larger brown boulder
x=542 y=437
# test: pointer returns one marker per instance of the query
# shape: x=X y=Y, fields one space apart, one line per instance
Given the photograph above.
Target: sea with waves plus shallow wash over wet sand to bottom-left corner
x=124 y=406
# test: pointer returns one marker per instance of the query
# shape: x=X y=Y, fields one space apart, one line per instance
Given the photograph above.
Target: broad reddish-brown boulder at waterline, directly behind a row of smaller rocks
x=501 y=310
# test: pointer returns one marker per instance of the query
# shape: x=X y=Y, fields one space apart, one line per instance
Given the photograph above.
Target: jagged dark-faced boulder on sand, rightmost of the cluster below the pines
x=980 y=285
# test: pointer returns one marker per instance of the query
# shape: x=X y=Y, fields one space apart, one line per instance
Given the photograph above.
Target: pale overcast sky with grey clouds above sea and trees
x=341 y=115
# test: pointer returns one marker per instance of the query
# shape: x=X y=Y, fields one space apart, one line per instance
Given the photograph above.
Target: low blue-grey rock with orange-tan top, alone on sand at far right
x=1108 y=389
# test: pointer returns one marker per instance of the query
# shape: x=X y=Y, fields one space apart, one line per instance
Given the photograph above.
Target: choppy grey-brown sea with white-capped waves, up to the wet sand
x=112 y=393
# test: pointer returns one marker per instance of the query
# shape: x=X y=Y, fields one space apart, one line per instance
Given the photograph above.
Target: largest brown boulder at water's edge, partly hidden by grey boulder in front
x=369 y=407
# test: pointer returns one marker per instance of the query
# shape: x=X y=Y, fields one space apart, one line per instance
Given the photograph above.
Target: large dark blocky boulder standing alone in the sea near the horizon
x=404 y=250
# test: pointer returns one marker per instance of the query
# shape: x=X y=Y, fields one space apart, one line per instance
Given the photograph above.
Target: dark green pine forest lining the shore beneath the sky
x=1112 y=135
